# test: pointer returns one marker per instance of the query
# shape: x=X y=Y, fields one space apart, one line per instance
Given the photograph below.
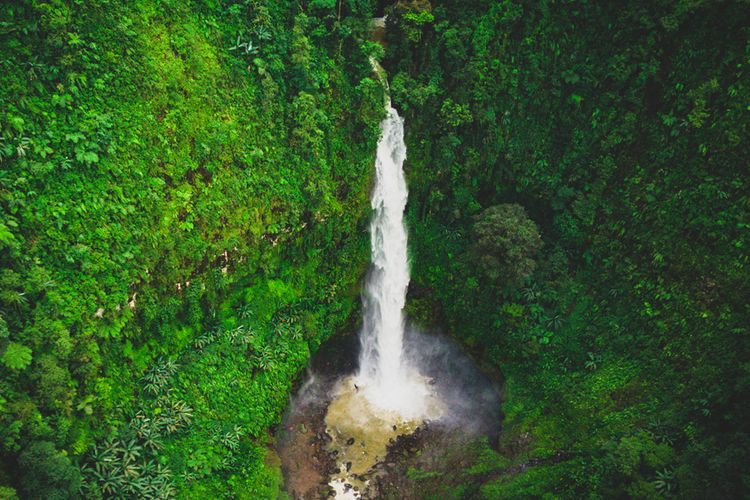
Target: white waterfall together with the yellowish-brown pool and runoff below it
x=388 y=397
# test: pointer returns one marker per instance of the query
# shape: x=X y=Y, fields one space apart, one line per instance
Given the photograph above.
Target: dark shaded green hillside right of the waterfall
x=621 y=129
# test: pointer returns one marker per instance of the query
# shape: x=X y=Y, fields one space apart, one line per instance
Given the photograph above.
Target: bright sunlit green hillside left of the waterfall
x=184 y=188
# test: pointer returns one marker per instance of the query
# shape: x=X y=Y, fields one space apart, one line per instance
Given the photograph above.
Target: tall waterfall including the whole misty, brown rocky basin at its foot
x=352 y=431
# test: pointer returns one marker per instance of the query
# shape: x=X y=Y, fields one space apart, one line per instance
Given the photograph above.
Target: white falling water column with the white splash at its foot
x=385 y=375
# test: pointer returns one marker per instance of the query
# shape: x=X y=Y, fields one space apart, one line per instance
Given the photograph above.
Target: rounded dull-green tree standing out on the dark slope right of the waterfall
x=506 y=241
